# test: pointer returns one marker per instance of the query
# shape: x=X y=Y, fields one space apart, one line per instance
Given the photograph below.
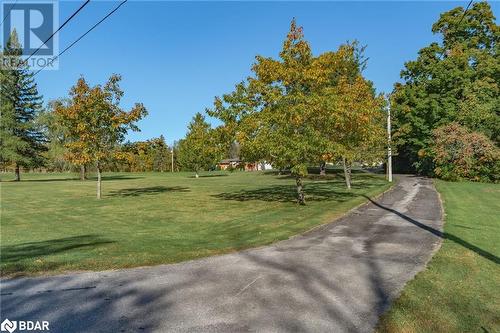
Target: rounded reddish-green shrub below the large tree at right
x=461 y=154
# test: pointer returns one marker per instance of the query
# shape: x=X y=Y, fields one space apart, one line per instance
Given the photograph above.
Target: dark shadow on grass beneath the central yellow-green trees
x=320 y=191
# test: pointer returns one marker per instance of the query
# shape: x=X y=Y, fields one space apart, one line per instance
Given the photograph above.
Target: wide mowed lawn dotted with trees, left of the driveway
x=52 y=222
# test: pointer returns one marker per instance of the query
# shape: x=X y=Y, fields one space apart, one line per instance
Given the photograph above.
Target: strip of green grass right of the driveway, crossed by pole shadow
x=460 y=289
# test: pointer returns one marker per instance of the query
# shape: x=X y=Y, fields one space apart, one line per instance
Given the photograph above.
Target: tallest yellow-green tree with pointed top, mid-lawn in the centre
x=272 y=113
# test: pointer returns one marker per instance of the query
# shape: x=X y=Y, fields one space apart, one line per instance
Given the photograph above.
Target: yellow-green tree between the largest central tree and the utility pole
x=349 y=114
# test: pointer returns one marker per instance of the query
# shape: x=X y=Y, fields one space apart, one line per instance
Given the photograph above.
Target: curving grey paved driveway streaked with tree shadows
x=338 y=278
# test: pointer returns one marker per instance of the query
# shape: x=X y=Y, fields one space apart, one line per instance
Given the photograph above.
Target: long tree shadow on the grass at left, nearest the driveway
x=11 y=254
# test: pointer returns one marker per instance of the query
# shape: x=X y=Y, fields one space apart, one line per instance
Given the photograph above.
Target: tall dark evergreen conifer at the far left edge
x=21 y=142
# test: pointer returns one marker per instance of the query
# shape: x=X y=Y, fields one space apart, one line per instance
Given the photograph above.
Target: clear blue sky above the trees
x=176 y=56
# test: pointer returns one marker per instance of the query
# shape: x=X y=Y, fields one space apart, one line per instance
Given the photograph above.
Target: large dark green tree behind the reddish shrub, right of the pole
x=454 y=80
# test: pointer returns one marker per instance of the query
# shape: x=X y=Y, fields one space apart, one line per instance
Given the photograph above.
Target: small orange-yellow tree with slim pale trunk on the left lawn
x=94 y=119
